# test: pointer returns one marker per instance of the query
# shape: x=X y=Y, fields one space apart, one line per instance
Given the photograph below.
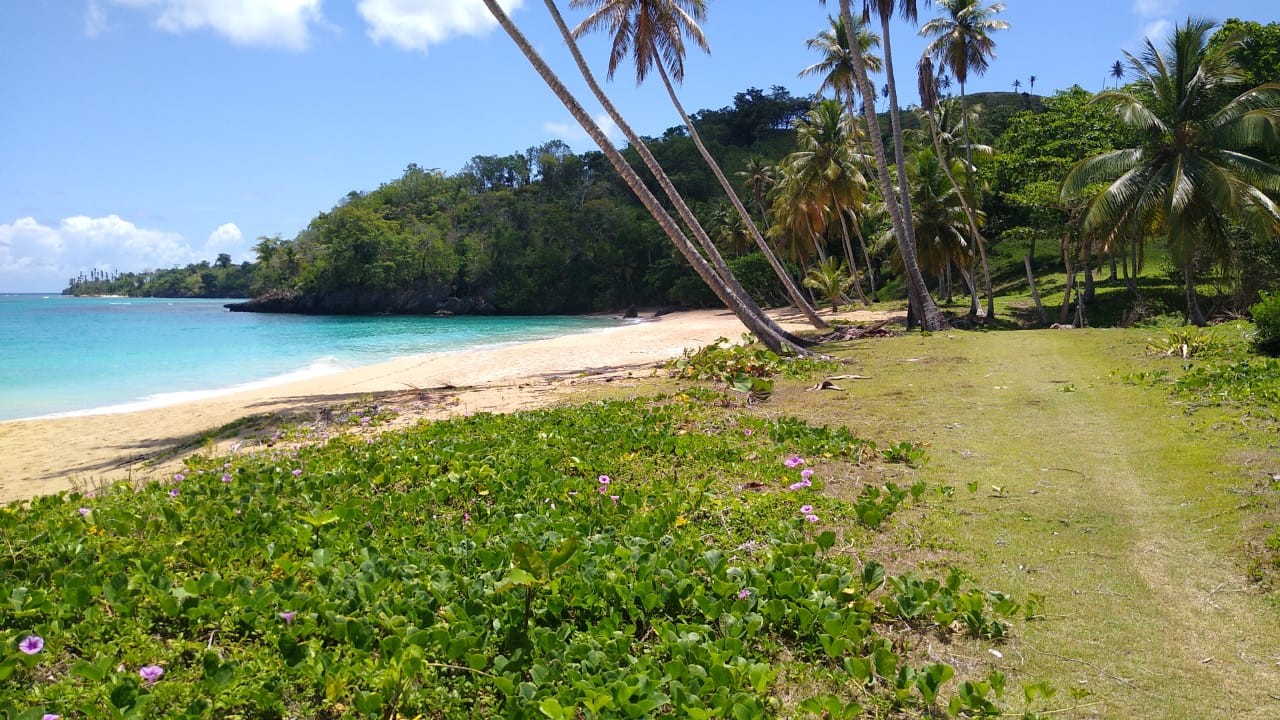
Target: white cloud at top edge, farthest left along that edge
x=273 y=24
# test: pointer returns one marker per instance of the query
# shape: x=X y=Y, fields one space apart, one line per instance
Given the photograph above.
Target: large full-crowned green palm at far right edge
x=1201 y=161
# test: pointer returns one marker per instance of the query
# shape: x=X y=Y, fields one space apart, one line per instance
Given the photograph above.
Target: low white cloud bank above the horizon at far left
x=36 y=258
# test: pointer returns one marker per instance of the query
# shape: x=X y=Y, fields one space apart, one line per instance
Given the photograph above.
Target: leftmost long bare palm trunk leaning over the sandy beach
x=753 y=318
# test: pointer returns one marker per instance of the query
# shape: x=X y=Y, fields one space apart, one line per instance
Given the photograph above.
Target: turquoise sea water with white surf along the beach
x=71 y=356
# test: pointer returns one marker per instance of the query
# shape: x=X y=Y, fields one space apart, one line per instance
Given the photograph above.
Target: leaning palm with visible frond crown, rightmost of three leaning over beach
x=653 y=33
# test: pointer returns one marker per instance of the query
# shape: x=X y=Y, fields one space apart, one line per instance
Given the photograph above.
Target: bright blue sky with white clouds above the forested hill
x=150 y=134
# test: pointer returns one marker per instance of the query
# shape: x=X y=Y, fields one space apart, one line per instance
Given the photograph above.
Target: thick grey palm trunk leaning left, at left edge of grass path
x=924 y=308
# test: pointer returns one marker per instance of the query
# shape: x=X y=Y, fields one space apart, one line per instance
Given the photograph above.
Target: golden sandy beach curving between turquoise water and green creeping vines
x=52 y=455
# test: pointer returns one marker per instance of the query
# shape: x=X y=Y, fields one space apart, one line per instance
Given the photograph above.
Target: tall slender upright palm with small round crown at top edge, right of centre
x=962 y=44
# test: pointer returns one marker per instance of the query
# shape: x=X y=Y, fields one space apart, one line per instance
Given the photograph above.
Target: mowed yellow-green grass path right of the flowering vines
x=1130 y=516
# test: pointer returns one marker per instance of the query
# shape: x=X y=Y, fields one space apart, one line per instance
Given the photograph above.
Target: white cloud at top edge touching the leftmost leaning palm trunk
x=415 y=25
